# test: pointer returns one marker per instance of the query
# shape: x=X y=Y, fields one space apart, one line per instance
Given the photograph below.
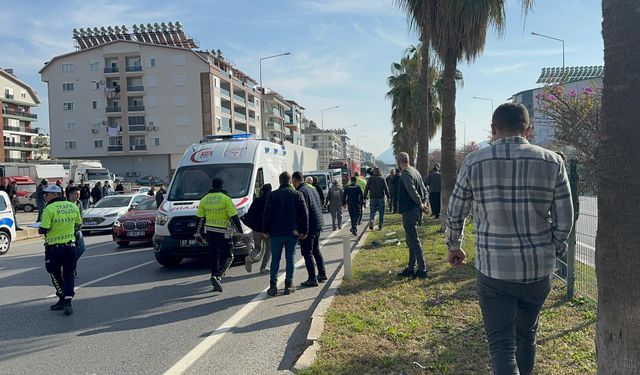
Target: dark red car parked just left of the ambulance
x=137 y=224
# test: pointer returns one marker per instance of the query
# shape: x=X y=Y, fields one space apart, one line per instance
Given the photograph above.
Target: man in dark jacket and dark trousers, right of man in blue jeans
x=310 y=246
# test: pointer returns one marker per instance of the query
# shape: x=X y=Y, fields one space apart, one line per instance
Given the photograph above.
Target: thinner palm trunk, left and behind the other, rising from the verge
x=422 y=163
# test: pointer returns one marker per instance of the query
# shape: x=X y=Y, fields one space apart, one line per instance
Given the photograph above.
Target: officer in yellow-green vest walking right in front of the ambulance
x=215 y=212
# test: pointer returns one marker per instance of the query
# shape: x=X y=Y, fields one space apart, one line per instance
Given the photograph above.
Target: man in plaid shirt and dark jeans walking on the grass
x=522 y=211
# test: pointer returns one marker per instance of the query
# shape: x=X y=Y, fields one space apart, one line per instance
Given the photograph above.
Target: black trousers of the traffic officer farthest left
x=60 y=262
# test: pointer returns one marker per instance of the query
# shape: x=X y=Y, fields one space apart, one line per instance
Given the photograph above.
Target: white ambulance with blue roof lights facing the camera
x=243 y=163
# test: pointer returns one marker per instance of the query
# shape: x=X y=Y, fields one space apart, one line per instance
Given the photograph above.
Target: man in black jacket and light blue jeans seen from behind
x=284 y=229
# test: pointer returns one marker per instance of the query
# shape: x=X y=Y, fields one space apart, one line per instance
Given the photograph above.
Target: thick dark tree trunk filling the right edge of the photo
x=618 y=239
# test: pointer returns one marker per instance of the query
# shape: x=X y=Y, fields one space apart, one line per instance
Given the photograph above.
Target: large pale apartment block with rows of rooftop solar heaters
x=137 y=100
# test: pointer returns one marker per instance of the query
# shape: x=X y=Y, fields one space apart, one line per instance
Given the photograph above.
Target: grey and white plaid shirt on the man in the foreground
x=521 y=207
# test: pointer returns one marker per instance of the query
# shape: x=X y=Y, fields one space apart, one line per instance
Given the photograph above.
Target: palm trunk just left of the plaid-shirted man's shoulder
x=448 y=139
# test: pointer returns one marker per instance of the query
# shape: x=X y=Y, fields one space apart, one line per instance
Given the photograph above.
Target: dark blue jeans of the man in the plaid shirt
x=510 y=312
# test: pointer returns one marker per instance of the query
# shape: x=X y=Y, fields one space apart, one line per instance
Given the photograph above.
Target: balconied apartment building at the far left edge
x=16 y=130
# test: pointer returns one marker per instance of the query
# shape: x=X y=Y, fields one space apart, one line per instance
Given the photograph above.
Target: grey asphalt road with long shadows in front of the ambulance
x=133 y=316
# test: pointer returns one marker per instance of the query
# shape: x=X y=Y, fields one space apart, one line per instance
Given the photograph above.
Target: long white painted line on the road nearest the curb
x=205 y=345
